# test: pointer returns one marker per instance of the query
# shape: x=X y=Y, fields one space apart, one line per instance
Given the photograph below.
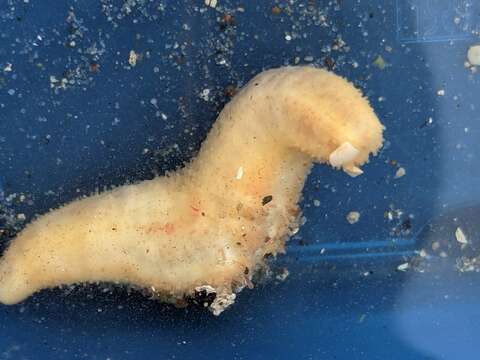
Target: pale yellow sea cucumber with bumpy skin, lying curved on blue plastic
x=203 y=231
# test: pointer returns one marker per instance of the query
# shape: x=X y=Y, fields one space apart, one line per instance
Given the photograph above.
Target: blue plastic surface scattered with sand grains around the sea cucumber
x=110 y=122
